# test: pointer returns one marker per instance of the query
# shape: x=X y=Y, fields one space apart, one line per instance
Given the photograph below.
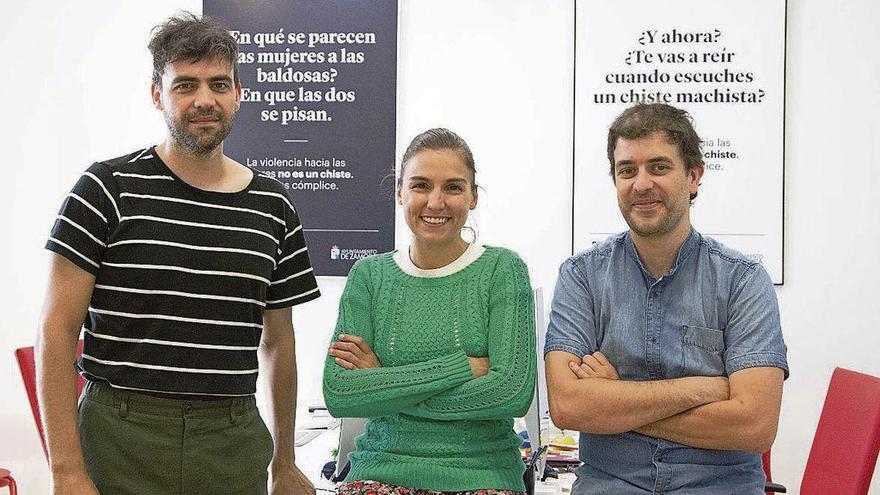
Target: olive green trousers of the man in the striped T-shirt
x=140 y=444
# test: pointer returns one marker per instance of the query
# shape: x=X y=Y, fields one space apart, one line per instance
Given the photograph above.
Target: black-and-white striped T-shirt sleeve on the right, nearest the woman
x=293 y=281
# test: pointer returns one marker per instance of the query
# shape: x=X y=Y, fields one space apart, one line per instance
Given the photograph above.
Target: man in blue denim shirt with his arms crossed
x=664 y=347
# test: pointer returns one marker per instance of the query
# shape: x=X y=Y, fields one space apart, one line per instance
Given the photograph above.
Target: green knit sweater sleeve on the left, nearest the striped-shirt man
x=387 y=390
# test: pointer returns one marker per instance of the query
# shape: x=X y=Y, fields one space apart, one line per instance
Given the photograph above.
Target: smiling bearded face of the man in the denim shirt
x=653 y=185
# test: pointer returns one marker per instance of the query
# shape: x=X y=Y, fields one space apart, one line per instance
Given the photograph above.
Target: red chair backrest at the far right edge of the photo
x=844 y=451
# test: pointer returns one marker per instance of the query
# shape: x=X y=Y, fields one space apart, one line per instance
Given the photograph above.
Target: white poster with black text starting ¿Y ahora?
x=723 y=62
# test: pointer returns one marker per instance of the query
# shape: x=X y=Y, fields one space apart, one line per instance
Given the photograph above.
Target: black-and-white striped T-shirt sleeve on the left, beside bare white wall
x=87 y=216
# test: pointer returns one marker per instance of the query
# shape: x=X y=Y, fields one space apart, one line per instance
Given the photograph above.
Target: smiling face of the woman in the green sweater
x=437 y=192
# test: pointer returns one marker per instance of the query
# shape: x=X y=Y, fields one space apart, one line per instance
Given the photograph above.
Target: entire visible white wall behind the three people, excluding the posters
x=499 y=72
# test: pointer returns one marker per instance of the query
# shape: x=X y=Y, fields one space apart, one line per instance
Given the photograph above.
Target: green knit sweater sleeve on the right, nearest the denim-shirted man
x=506 y=391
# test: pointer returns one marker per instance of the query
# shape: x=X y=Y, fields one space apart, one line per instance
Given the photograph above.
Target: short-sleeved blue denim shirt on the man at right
x=713 y=314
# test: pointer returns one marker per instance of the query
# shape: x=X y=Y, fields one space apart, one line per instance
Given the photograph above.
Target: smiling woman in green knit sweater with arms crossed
x=435 y=344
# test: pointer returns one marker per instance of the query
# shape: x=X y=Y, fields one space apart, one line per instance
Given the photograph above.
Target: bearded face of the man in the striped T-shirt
x=198 y=101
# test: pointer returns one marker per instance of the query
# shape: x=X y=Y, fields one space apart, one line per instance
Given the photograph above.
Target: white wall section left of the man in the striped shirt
x=75 y=79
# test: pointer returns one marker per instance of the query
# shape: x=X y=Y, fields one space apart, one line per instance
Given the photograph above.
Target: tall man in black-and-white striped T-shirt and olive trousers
x=184 y=265
